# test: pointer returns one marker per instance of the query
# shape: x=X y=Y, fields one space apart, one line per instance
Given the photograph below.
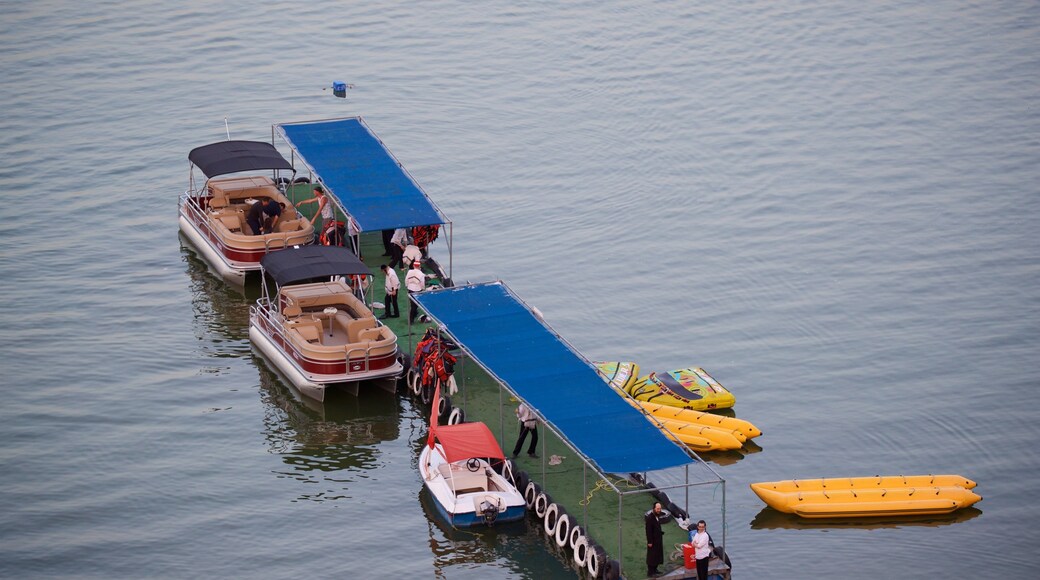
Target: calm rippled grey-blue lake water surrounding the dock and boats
x=834 y=208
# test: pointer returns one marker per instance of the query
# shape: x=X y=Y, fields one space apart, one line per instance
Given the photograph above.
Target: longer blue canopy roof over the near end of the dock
x=537 y=365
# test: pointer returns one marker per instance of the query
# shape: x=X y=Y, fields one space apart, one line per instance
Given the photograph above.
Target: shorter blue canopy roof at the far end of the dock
x=358 y=171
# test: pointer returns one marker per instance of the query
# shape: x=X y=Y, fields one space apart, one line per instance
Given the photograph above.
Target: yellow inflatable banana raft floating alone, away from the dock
x=866 y=497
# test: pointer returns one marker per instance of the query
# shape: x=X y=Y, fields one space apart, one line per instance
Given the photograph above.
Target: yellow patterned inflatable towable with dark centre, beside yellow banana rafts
x=691 y=388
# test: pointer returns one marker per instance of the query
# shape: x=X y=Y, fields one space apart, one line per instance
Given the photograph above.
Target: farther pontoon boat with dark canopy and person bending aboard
x=214 y=213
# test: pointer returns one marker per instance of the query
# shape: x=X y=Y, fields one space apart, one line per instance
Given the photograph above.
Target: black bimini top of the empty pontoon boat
x=308 y=262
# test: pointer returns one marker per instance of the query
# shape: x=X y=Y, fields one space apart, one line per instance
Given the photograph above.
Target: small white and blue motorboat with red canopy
x=456 y=466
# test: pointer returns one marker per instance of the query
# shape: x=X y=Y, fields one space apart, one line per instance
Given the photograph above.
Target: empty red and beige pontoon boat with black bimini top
x=316 y=329
